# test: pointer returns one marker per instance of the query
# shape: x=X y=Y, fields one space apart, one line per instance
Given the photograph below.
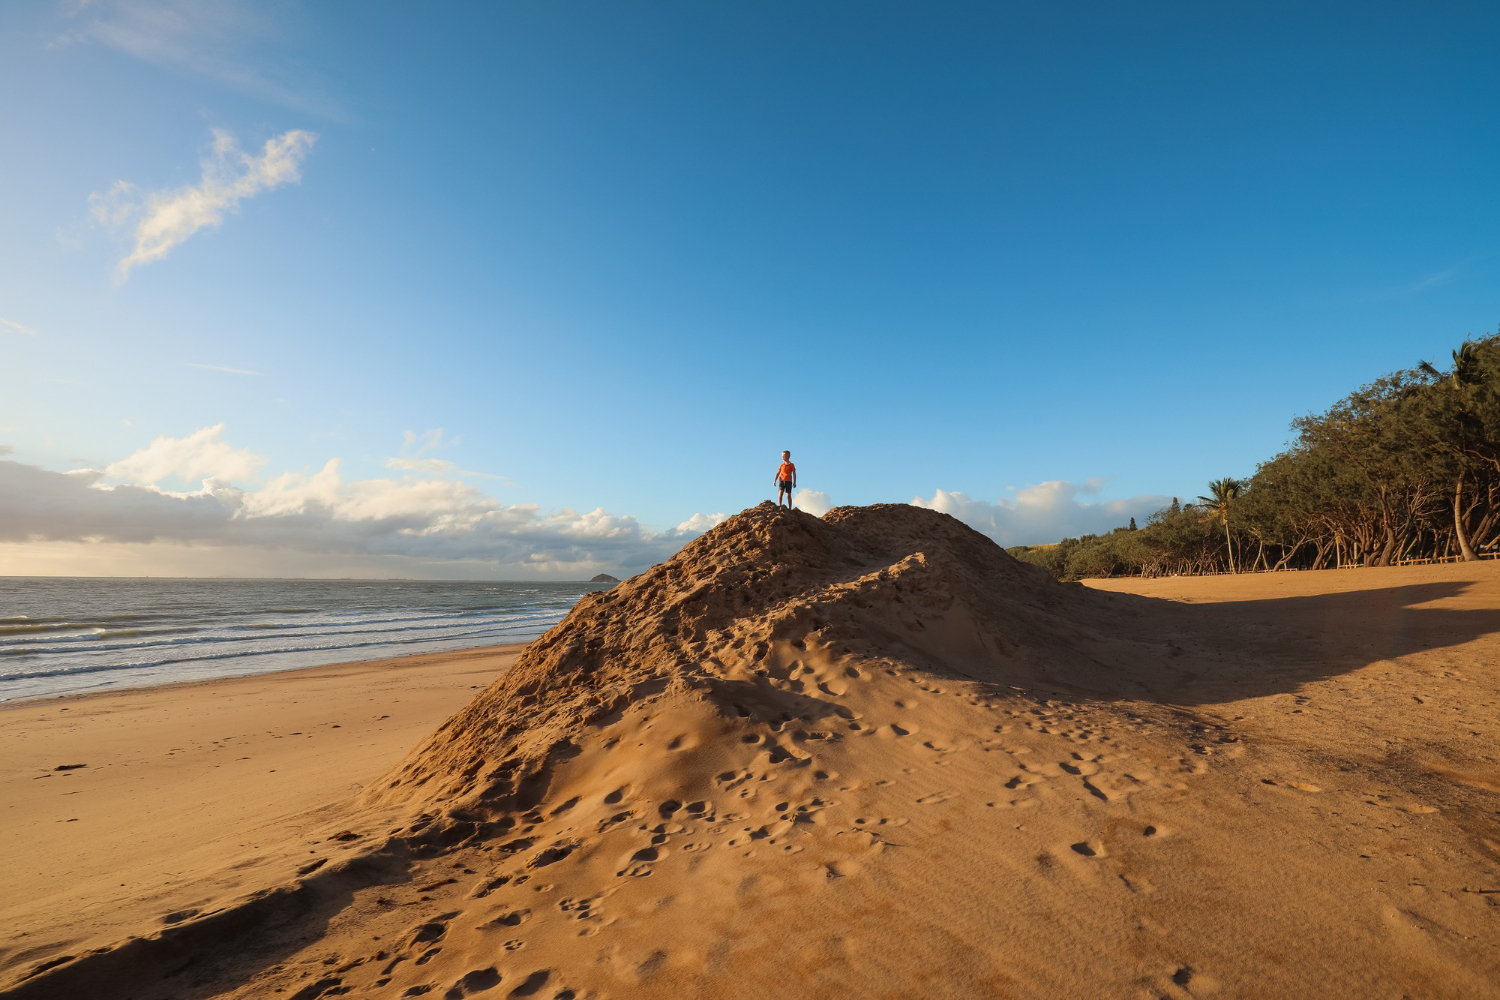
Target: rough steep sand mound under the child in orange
x=749 y=620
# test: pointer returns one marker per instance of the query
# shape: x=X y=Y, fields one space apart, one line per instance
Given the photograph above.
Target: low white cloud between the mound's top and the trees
x=1046 y=512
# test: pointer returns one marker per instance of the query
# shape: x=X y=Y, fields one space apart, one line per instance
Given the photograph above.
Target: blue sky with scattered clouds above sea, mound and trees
x=539 y=290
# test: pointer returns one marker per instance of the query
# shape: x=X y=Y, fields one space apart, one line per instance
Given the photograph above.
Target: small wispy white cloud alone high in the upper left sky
x=167 y=218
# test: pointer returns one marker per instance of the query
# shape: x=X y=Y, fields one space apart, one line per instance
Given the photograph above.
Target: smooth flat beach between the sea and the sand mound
x=191 y=780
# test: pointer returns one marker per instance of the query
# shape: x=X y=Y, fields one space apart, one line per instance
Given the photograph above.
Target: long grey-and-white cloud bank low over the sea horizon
x=391 y=525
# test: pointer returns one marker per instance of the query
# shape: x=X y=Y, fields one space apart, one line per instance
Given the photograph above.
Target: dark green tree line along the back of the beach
x=1403 y=469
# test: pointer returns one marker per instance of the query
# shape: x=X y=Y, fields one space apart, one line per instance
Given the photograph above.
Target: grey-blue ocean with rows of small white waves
x=65 y=636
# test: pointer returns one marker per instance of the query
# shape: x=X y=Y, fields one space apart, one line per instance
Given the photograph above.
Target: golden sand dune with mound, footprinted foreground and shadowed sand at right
x=874 y=756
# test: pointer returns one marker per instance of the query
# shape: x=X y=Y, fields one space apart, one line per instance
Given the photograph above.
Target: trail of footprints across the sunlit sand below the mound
x=502 y=891
